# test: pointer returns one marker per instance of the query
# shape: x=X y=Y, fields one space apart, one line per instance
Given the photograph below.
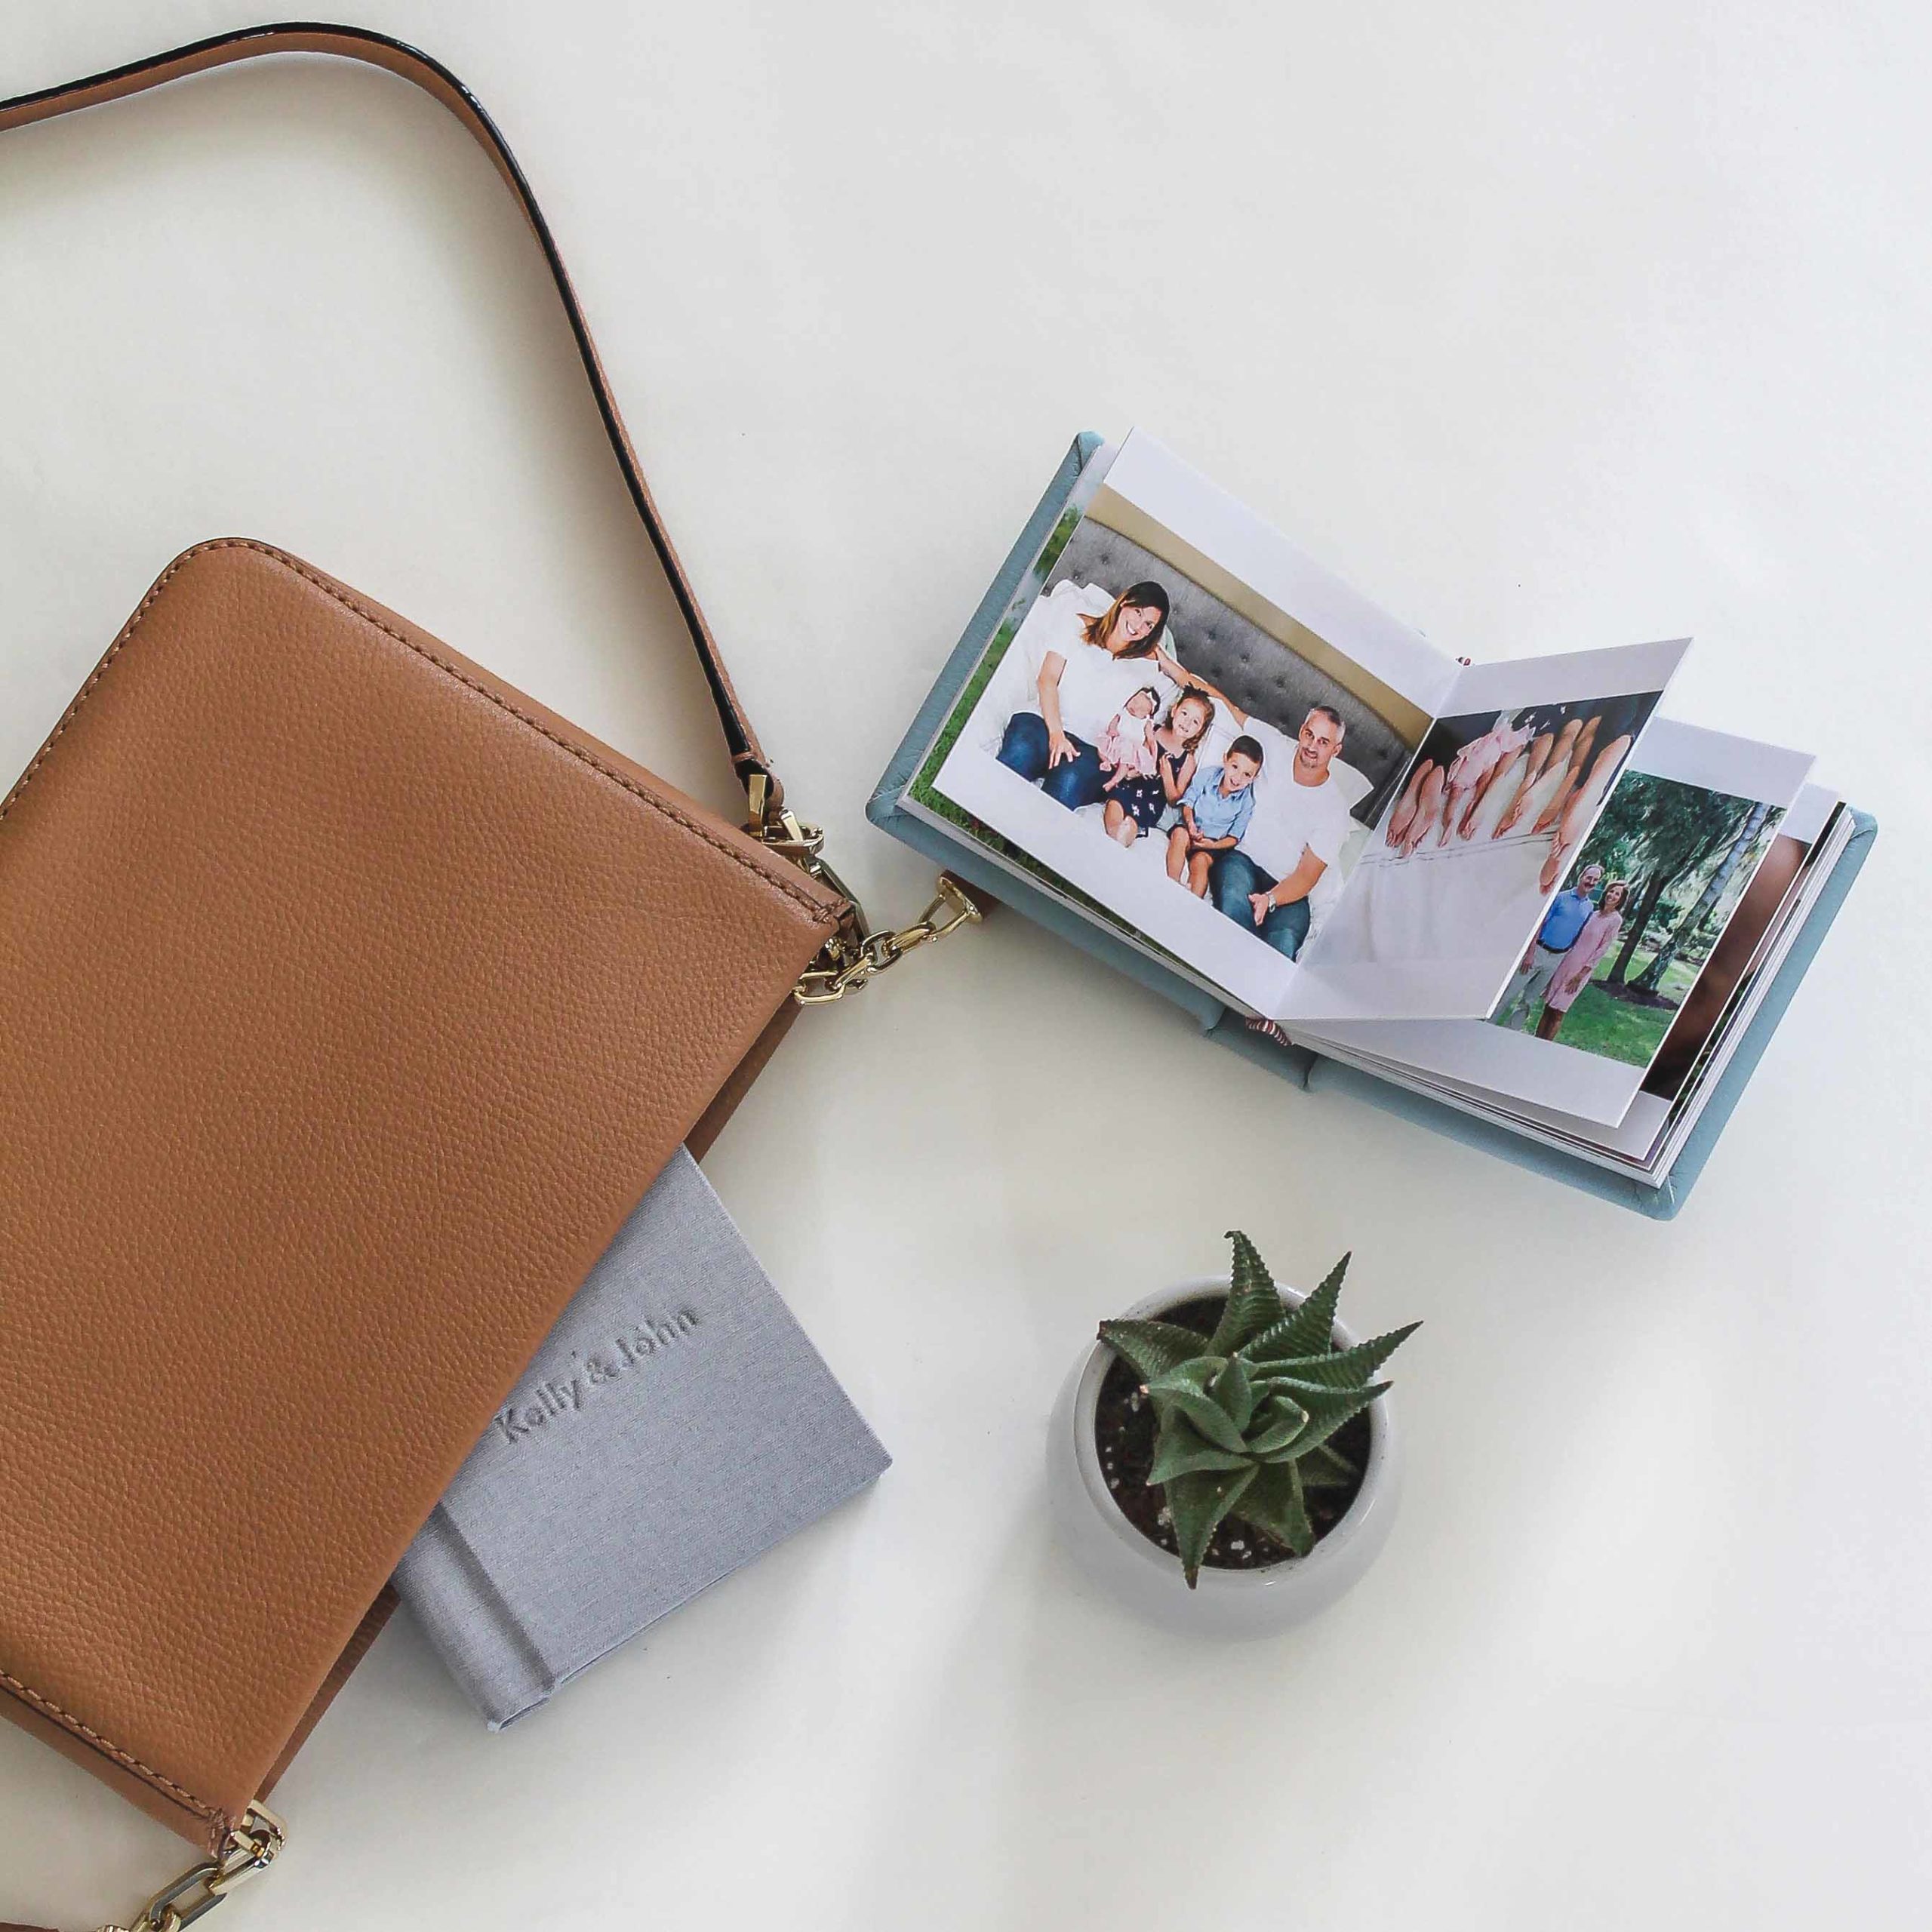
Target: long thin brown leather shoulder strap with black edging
x=438 y=82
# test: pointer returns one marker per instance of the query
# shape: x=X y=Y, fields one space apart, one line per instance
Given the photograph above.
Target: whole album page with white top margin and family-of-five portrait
x=1185 y=727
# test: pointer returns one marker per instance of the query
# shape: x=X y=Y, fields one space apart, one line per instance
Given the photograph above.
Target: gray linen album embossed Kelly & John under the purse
x=675 y=1425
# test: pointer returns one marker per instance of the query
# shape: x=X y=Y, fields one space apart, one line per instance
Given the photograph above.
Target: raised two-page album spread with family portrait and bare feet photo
x=1197 y=737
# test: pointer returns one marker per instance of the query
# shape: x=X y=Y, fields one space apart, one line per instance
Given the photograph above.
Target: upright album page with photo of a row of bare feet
x=1481 y=834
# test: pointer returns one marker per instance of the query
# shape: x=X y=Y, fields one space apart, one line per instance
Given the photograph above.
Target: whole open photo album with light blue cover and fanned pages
x=1512 y=888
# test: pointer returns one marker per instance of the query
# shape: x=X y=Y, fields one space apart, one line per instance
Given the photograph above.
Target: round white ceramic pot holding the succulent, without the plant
x=1228 y=1605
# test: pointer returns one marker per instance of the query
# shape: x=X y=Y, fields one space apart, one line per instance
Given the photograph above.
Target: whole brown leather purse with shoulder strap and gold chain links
x=353 y=1002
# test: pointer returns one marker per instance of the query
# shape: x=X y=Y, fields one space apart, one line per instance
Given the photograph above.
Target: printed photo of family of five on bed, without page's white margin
x=1166 y=741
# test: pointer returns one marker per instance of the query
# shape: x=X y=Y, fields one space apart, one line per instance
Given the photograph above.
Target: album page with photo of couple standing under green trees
x=1637 y=942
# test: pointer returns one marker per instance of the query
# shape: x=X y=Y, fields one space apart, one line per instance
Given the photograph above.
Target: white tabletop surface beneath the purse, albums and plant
x=1548 y=327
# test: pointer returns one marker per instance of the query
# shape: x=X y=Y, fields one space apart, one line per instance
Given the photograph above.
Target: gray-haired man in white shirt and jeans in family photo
x=1297 y=832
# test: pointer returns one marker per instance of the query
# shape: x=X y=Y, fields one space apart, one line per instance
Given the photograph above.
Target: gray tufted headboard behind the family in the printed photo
x=1237 y=656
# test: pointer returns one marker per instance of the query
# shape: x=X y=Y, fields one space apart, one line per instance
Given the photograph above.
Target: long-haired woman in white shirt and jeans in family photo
x=1096 y=660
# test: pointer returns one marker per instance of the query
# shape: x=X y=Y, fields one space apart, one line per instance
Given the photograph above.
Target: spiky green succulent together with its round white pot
x=1230 y=1438
